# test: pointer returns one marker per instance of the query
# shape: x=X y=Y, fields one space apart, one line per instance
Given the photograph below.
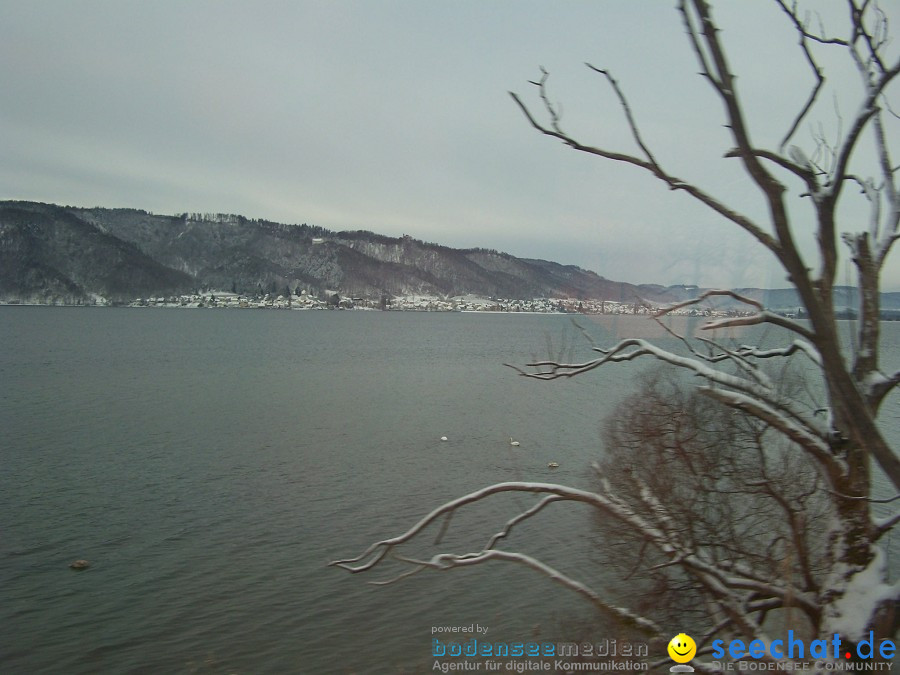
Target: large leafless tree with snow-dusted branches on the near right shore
x=845 y=587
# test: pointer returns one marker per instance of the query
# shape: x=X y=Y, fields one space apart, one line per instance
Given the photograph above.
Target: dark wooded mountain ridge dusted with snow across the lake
x=72 y=255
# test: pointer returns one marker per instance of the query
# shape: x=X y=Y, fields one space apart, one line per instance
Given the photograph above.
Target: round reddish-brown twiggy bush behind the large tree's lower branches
x=728 y=484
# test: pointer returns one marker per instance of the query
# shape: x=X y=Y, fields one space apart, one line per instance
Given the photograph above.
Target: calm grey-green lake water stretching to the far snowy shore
x=210 y=464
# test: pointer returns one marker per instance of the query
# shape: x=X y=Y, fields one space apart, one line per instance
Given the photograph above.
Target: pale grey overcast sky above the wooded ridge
x=394 y=116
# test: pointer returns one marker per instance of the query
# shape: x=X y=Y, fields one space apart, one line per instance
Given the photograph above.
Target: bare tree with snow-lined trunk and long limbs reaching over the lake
x=738 y=594
